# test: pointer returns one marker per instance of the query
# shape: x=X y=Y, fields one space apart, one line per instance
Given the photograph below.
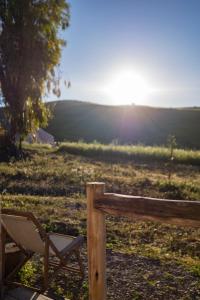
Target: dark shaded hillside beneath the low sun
x=75 y=120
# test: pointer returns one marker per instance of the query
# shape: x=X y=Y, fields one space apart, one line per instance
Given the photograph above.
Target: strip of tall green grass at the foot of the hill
x=131 y=153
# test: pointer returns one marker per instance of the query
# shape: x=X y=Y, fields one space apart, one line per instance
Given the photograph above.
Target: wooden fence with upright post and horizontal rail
x=179 y=212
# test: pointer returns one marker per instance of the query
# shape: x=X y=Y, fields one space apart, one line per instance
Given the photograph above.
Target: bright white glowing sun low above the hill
x=128 y=87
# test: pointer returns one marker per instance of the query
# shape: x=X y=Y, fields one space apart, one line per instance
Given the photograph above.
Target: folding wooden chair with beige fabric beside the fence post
x=31 y=238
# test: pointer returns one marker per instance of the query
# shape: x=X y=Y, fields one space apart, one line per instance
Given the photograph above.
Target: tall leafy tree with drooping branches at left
x=30 y=50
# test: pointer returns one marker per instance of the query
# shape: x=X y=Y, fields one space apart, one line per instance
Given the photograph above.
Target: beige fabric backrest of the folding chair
x=23 y=231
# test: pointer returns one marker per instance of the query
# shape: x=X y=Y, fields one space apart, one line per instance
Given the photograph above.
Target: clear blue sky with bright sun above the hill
x=145 y=52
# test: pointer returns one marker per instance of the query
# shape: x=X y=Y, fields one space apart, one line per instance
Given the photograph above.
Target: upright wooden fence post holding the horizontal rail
x=96 y=243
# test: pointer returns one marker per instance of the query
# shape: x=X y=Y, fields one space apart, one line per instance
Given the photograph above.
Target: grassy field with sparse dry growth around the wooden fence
x=145 y=260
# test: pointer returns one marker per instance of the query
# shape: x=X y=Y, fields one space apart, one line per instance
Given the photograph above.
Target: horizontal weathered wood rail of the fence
x=179 y=212
